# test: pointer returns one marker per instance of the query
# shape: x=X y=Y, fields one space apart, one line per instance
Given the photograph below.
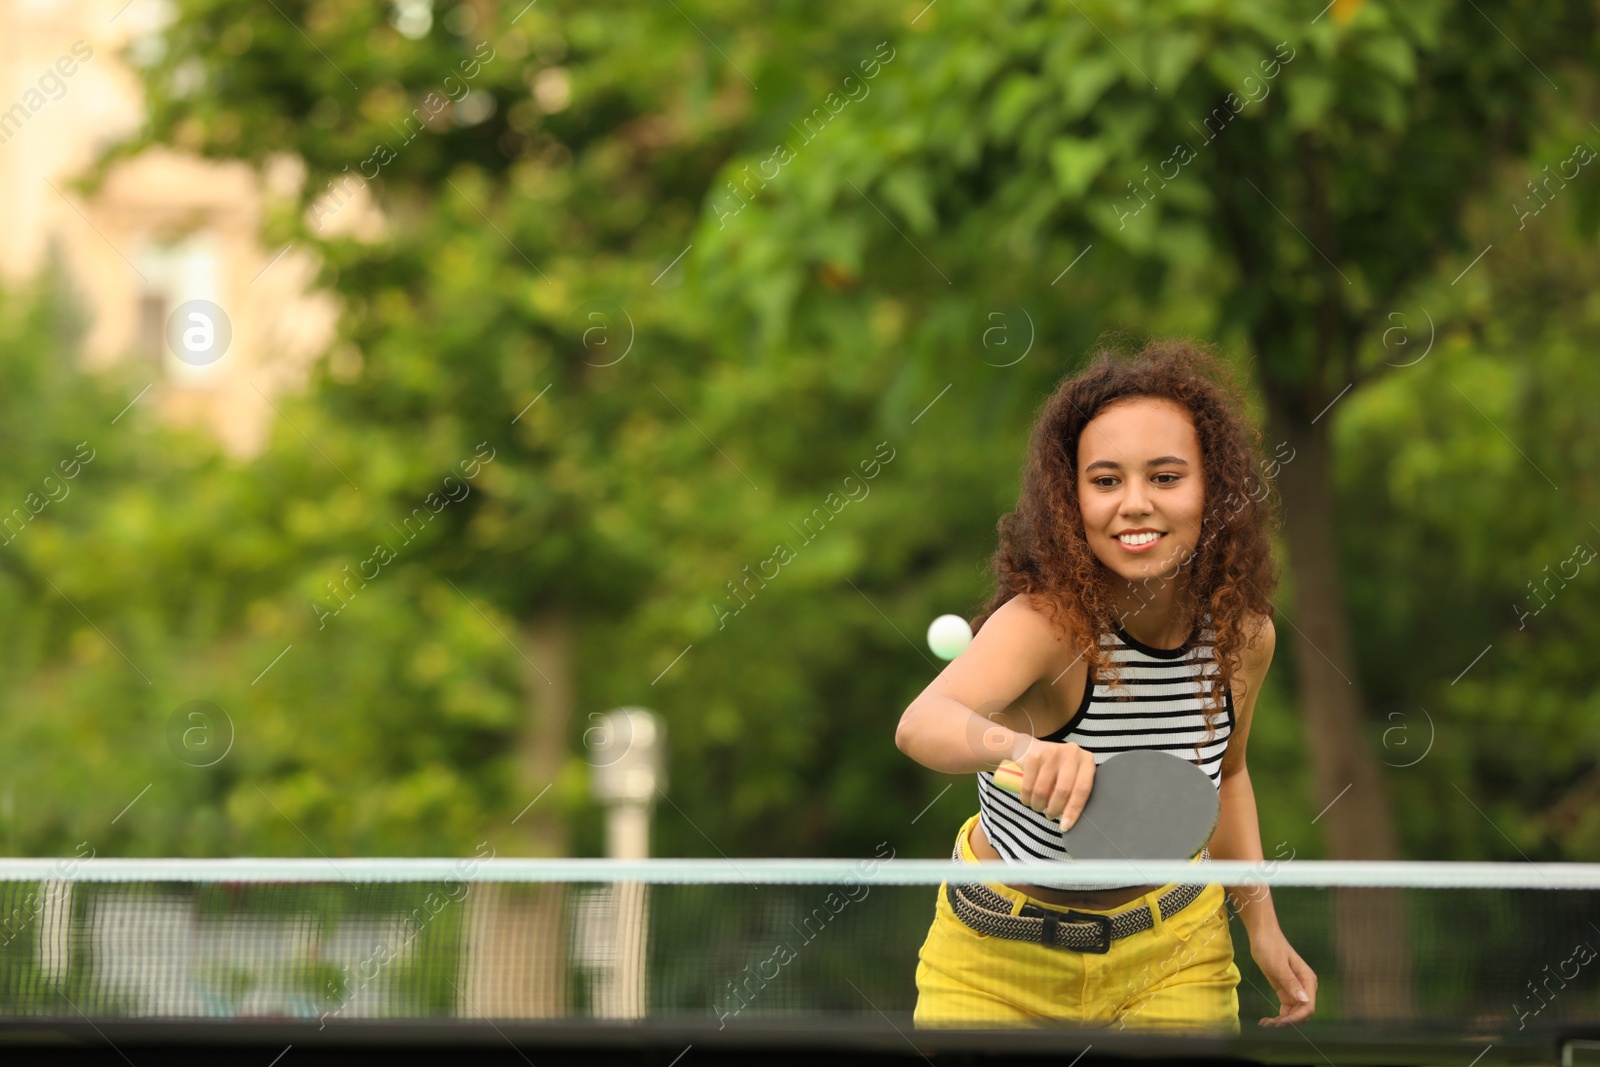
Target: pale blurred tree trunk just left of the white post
x=518 y=935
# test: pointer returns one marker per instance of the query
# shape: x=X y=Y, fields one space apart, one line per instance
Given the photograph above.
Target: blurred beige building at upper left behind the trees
x=162 y=231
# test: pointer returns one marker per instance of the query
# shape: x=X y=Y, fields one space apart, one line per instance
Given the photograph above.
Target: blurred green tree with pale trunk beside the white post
x=538 y=175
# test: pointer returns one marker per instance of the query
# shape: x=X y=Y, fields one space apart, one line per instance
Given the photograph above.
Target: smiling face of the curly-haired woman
x=1140 y=470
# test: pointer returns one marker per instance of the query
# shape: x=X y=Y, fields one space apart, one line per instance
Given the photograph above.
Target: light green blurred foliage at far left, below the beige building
x=145 y=572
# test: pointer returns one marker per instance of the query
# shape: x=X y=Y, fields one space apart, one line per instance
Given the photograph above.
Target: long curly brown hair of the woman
x=1044 y=551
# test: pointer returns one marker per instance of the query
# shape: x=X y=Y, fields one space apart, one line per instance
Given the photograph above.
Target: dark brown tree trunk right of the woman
x=1358 y=818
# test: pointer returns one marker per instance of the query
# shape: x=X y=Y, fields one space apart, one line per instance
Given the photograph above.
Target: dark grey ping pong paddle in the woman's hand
x=1145 y=805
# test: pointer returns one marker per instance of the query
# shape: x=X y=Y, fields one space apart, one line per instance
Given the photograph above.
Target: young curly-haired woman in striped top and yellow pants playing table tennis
x=1132 y=613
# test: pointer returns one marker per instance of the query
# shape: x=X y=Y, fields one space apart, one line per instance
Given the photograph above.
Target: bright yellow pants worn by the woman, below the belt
x=1175 y=977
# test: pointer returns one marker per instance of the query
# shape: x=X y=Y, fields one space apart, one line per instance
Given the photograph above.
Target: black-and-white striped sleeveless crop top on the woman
x=1169 y=690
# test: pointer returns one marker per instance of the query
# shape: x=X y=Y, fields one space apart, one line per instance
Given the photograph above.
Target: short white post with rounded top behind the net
x=626 y=753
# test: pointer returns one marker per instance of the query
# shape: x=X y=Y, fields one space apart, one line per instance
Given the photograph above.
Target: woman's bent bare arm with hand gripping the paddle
x=967 y=719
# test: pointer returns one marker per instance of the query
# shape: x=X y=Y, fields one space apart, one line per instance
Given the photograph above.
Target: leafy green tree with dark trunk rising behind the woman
x=1303 y=178
